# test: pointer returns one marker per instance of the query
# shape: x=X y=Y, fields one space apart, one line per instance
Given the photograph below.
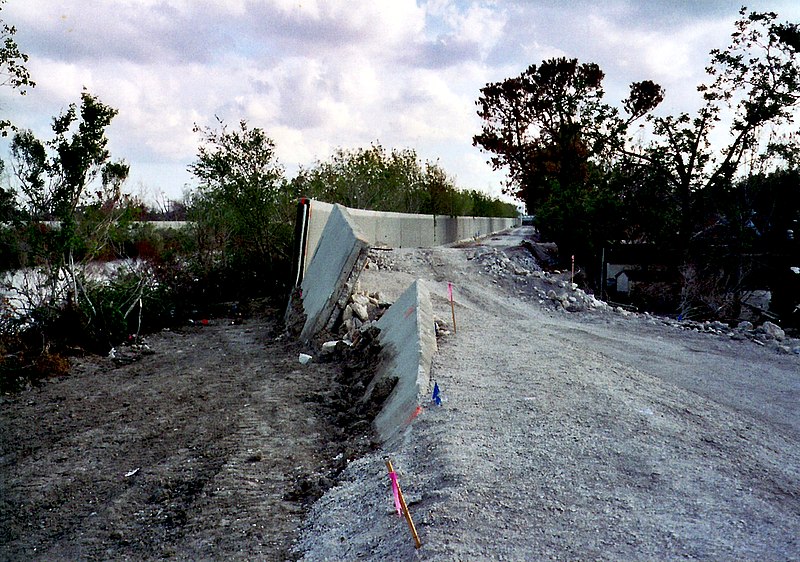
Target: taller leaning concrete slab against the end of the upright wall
x=341 y=246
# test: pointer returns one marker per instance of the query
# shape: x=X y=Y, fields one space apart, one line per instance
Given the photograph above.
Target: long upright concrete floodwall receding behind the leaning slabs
x=403 y=230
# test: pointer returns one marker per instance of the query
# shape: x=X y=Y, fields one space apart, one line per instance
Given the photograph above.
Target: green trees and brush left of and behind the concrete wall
x=63 y=211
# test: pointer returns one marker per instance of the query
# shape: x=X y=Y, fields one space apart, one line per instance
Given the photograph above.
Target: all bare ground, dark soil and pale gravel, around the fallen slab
x=562 y=435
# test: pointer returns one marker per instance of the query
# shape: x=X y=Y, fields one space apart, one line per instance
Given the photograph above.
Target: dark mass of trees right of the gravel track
x=593 y=173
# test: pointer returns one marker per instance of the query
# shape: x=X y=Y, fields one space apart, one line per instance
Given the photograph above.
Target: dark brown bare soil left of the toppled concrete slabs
x=205 y=443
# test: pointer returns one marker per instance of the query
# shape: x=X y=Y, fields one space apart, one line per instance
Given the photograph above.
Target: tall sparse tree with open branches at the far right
x=755 y=84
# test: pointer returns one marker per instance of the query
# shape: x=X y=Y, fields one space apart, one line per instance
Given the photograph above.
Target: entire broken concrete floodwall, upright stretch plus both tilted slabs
x=338 y=240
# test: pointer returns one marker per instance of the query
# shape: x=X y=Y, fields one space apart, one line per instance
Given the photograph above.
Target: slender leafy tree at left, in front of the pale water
x=70 y=179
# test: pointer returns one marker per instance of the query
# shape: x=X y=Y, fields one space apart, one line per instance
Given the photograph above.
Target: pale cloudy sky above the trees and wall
x=322 y=74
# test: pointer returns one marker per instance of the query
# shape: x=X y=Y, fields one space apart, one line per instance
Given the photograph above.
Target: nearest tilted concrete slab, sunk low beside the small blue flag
x=408 y=342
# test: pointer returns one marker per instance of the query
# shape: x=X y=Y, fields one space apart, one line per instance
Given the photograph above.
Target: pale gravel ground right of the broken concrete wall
x=580 y=436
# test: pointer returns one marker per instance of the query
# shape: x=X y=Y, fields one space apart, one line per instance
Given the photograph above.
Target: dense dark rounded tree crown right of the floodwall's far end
x=549 y=123
